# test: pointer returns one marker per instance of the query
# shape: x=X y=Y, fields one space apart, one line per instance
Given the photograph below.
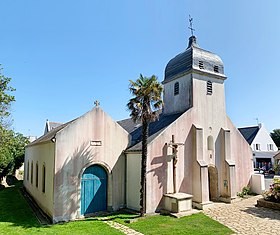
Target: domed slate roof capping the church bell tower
x=196 y=58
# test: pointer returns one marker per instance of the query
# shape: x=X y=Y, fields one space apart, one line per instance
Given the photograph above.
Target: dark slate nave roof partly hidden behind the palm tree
x=155 y=128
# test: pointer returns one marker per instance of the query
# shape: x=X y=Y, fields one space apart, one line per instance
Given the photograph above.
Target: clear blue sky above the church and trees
x=63 y=55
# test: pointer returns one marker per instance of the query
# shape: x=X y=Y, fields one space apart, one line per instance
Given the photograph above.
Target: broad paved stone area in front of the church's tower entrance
x=244 y=218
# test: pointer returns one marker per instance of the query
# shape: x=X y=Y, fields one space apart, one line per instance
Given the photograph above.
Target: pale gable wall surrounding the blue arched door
x=74 y=154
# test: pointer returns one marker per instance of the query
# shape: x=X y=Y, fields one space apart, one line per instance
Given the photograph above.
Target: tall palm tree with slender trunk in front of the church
x=144 y=107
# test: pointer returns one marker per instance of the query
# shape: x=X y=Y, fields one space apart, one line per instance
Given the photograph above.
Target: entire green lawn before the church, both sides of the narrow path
x=17 y=218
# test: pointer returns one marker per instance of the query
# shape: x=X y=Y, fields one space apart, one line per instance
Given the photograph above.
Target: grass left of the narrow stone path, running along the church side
x=16 y=217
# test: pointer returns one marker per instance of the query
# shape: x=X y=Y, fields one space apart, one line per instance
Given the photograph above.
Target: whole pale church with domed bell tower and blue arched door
x=92 y=163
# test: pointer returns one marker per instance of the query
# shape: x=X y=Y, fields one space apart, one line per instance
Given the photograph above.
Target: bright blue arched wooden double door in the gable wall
x=93 y=190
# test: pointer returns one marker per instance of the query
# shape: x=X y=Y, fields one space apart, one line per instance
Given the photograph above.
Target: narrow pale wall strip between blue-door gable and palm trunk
x=133 y=178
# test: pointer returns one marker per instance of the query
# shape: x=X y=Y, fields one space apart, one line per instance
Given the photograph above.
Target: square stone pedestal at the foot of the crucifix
x=177 y=202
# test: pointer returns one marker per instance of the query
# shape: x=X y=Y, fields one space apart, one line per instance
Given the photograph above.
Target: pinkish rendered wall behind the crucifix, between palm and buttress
x=159 y=166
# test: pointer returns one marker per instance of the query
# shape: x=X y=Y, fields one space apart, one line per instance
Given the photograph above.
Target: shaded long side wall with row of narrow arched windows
x=43 y=154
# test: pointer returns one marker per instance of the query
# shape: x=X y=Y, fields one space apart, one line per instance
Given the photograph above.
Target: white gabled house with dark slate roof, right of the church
x=262 y=145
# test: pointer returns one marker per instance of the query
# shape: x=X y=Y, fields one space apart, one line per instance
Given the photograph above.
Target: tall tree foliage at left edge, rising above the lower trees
x=5 y=97
